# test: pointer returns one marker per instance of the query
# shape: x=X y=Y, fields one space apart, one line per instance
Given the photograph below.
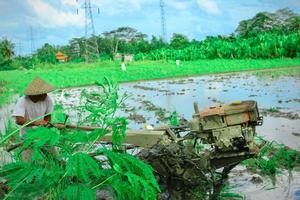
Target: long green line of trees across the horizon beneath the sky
x=266 y=35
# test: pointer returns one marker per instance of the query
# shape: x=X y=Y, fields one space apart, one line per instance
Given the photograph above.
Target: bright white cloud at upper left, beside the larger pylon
x=50 y=17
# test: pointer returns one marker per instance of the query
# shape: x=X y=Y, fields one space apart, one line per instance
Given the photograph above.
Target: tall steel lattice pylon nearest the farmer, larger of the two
x=90 y=39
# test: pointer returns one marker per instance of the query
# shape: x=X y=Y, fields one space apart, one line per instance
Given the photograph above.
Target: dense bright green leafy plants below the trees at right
x=264 y=45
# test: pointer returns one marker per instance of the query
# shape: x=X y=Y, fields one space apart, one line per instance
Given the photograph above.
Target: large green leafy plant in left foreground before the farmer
x=72 y=164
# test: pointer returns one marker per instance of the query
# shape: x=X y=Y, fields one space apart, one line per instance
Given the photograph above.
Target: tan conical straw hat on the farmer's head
x=38 y=86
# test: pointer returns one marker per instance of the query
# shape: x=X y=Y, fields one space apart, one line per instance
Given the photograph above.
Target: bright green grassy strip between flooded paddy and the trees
x=80 y=74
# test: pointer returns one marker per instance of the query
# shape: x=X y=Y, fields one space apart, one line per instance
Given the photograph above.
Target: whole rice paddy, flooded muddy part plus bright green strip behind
x=274 y=84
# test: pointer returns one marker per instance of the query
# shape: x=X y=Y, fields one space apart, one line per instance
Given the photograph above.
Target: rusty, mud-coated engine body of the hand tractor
x=228 y=127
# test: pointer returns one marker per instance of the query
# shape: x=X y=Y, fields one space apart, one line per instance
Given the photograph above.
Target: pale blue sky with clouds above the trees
x=57 y=21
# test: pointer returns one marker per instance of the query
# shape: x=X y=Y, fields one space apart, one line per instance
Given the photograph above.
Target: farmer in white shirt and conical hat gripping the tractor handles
x=36 y=103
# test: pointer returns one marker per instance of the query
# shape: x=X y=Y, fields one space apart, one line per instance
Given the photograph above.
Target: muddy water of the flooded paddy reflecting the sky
x=151 y=98
